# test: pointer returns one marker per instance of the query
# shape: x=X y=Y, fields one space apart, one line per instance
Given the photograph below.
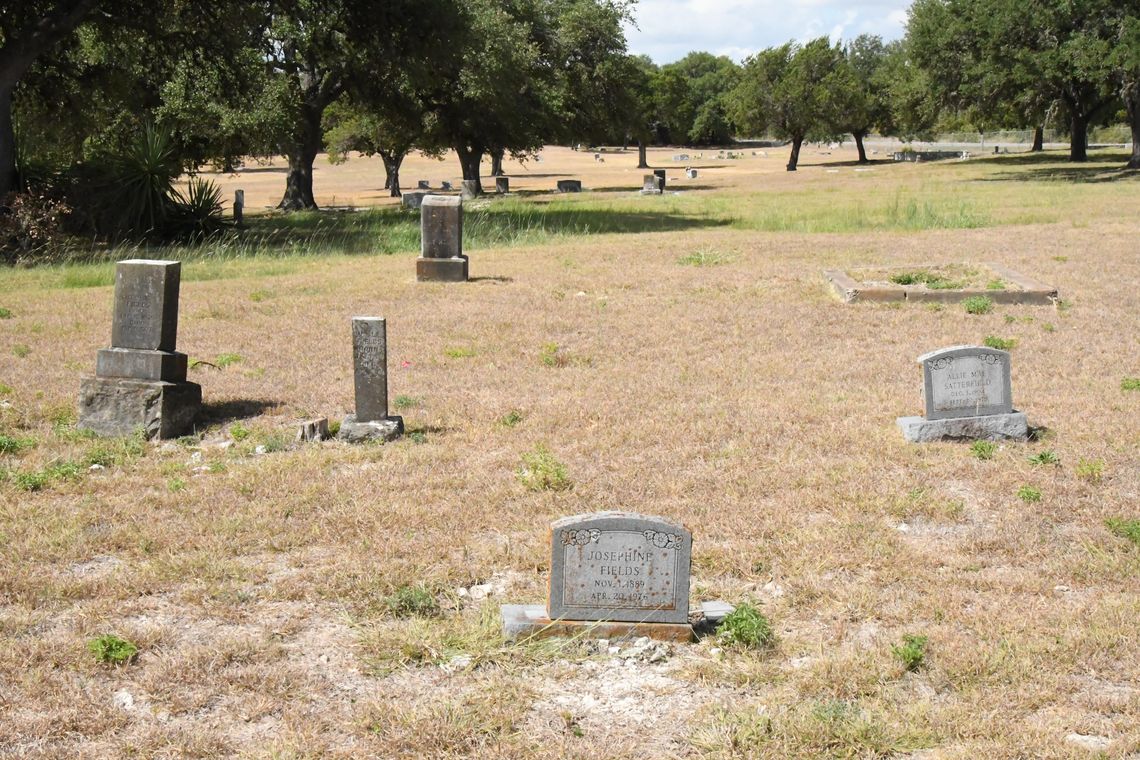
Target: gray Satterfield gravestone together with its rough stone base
x=968 y=397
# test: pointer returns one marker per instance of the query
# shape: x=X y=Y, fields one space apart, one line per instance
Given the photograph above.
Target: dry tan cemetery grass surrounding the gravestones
x=675 y=356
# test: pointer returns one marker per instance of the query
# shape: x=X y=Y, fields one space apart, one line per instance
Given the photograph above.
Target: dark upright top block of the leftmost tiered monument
x=146 y=305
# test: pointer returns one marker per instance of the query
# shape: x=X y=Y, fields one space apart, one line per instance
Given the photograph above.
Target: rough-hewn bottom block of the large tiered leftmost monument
x=118 y=406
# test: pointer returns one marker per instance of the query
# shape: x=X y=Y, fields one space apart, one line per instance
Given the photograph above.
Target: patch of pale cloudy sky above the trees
x=666 y=30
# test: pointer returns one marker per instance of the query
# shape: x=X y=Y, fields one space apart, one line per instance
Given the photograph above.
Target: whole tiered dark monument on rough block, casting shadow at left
x=140 y=382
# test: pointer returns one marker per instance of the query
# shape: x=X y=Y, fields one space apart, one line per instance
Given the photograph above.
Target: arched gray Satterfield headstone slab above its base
x=966 y=381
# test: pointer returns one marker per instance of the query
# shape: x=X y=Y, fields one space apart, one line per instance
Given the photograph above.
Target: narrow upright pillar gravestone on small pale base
x=370 y=379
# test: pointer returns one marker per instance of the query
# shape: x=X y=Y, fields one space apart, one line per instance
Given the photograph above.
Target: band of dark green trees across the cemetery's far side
x=105 y=103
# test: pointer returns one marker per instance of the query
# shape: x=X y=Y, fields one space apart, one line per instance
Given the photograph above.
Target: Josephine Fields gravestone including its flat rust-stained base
x=614 y=575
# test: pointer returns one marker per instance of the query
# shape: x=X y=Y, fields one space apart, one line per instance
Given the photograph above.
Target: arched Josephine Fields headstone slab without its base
x=620 y=567
